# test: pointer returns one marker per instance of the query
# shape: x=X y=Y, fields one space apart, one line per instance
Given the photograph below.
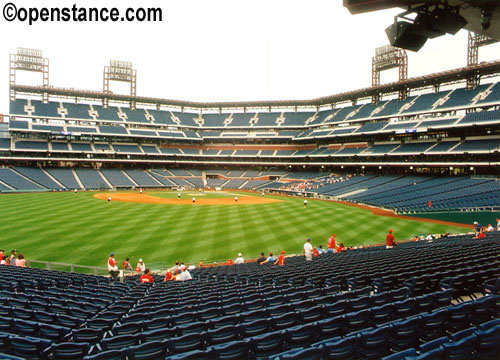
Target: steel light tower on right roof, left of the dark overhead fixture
x=389 y=57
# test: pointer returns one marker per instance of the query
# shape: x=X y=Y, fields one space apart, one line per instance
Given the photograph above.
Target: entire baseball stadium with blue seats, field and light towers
x=229 y=210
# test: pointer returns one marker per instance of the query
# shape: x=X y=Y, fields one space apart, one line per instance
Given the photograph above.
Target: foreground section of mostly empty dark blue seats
x=420 y=300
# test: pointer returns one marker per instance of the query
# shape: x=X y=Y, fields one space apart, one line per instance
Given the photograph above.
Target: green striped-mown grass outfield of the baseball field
x=79 y=229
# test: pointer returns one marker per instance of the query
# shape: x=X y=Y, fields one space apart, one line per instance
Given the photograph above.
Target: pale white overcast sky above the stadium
x=224 y=50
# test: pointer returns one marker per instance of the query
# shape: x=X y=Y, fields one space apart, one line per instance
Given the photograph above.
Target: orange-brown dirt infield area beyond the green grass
x=148 y=199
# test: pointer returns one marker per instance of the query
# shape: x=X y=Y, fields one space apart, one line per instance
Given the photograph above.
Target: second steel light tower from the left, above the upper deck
x=120 y=71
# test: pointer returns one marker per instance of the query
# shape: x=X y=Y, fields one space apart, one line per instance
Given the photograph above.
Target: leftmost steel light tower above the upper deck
x=30 y=60
